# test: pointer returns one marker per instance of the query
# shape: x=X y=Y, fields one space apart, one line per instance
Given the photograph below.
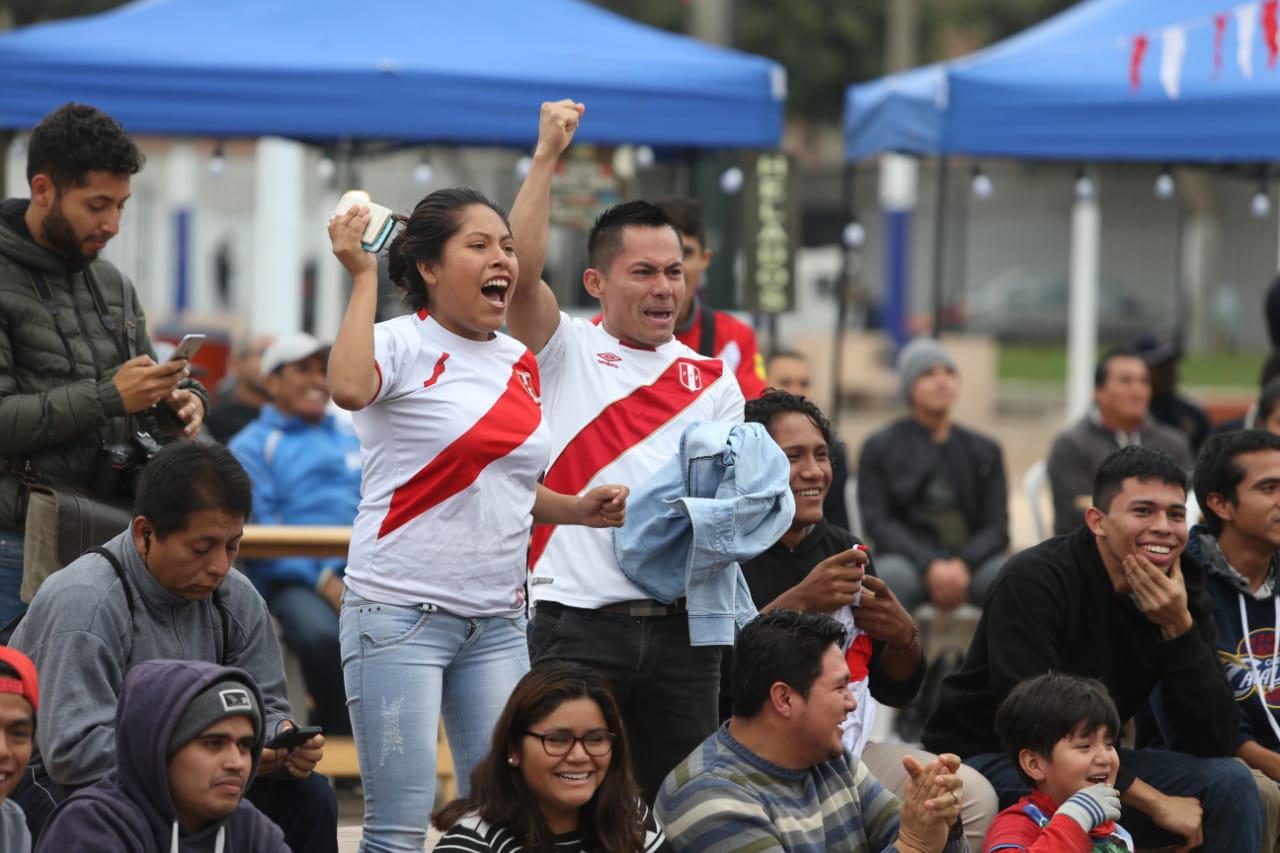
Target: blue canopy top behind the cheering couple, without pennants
x=427 y=71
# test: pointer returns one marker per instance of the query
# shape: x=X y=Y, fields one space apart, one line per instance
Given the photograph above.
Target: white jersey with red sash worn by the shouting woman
x=451 y=449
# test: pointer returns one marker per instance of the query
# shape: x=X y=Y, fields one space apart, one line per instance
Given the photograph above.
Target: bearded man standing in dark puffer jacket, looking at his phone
x=83 y=399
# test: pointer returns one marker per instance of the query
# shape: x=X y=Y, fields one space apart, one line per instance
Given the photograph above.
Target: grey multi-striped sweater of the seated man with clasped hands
x=724 y=799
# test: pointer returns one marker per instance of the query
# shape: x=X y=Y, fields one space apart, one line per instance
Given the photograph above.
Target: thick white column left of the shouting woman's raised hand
x=276 y=302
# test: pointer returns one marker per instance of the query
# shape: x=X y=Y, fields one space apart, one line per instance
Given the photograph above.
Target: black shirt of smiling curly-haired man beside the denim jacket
x=780 y=569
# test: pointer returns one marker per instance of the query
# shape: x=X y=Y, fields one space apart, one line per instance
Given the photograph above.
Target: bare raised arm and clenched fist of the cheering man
x=534 y=313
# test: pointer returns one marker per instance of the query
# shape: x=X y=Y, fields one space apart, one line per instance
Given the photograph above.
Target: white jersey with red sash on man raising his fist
x=616 y=414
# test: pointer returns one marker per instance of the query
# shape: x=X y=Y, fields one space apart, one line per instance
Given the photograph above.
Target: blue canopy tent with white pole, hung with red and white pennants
x=1165 y=81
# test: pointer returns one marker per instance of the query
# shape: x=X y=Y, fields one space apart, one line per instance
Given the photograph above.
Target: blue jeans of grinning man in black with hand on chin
x=1226 y=788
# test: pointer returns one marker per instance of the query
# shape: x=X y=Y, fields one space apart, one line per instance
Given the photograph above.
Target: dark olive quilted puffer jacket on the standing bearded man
x=58 y=400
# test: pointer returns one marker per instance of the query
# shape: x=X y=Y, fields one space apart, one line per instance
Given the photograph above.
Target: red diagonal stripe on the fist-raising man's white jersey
x=618 y=430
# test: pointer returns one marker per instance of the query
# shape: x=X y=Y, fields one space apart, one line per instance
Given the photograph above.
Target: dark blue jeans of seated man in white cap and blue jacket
x=310 y=628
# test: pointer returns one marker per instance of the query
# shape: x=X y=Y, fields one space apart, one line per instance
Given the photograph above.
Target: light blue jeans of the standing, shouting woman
x=405 y=667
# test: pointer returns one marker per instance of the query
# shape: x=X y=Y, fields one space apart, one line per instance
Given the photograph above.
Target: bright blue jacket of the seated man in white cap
x=303 y=475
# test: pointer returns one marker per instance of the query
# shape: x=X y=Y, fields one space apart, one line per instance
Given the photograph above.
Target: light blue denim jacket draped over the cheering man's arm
x=725 y=499
